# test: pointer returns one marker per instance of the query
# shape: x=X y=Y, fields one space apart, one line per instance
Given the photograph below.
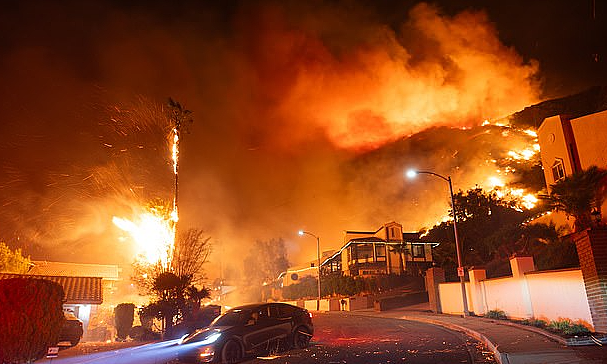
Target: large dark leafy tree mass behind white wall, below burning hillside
x=491 y=231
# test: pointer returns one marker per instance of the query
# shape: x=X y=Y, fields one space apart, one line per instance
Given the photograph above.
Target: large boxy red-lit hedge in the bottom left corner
x=30 y=318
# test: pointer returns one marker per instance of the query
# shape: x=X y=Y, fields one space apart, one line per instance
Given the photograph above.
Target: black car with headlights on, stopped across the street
x=247 y=330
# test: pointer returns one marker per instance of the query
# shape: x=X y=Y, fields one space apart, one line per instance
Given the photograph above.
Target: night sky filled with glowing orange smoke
x=288 y=97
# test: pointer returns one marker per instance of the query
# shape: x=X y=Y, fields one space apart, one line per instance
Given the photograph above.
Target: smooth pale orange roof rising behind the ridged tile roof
x=45 y=268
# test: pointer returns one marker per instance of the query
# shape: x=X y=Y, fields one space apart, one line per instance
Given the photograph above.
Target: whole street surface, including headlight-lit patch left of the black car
x=339 y=338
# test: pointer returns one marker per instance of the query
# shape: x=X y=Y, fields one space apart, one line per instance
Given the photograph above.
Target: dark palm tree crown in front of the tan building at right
x=580 y=194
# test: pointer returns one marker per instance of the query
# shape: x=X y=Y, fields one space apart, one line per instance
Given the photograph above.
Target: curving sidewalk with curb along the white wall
x=511 y=343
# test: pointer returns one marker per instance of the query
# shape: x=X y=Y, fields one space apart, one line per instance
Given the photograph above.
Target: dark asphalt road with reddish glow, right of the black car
x=351 y=339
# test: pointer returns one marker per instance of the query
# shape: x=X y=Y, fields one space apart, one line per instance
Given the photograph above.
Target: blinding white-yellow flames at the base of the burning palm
x=153 y=235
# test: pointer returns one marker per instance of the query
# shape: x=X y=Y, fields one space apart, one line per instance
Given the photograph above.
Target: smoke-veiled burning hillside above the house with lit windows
x=497 y=158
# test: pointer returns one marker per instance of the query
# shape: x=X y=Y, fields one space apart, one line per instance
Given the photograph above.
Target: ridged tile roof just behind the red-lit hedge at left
x=86 y=290
